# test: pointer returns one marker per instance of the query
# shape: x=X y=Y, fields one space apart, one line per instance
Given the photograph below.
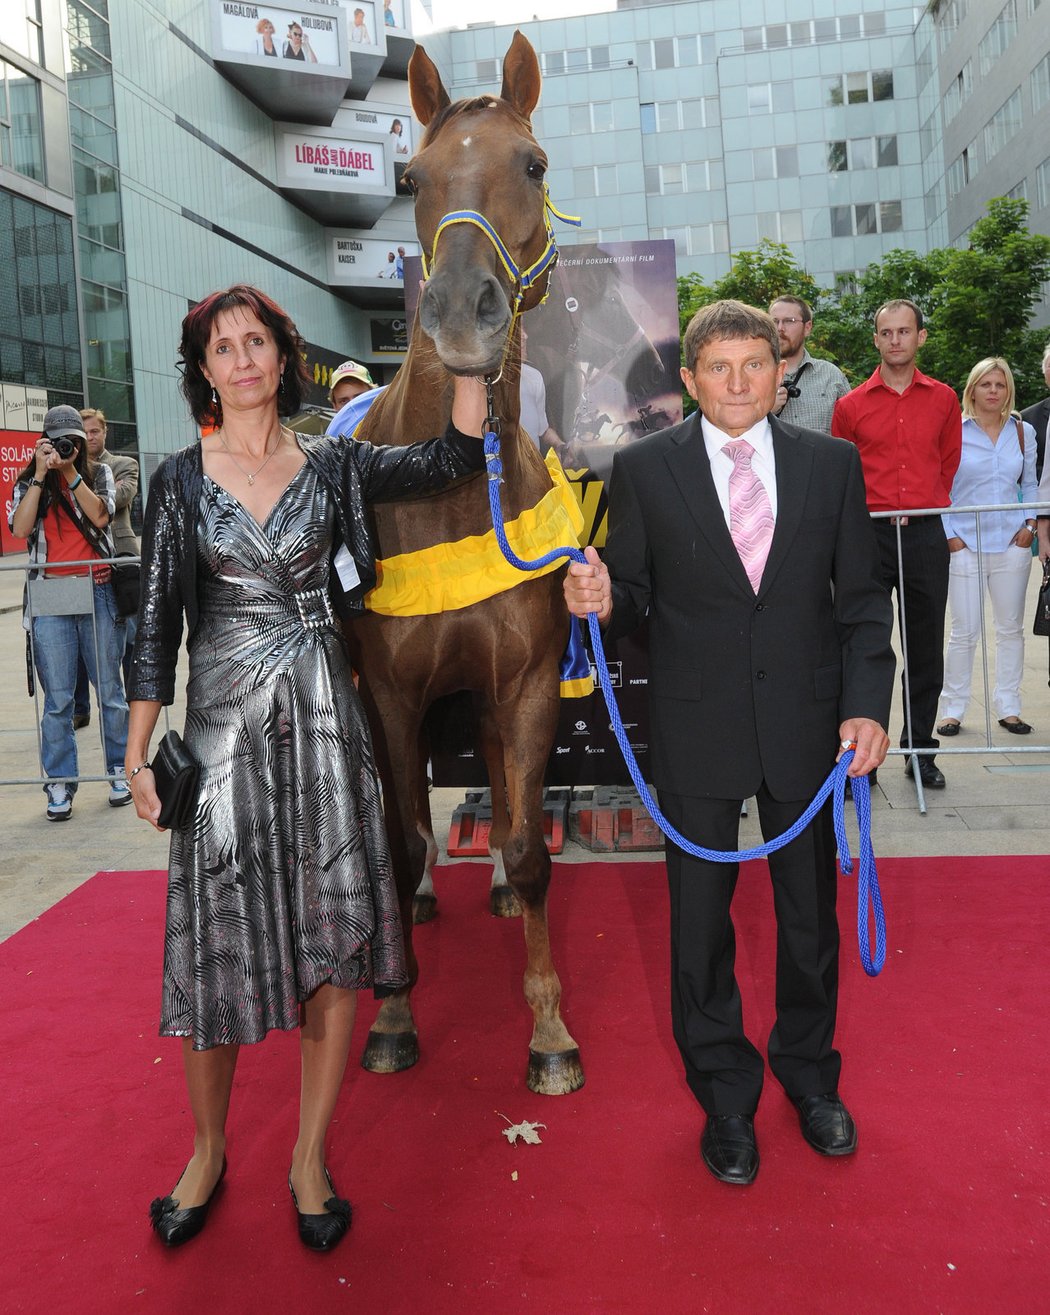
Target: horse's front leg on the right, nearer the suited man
x=555 y=1058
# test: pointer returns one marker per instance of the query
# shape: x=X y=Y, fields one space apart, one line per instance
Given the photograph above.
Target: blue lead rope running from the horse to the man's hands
x=868 y=882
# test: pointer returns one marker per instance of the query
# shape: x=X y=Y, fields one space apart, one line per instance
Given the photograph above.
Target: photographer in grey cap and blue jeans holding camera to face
x=62 y=506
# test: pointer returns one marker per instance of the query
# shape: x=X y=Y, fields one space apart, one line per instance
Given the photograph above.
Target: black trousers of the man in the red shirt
x=926 y=562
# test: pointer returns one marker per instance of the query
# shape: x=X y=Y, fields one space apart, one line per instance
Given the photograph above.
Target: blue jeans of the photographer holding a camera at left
x=57 y=645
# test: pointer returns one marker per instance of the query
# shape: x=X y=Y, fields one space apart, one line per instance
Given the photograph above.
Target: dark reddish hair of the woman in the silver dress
x=198 y=331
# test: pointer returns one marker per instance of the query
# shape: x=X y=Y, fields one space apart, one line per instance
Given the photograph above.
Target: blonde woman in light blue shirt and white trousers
x=998 y=457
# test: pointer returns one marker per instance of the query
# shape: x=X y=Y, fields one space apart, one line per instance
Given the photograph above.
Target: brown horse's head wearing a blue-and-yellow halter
x=481 y=211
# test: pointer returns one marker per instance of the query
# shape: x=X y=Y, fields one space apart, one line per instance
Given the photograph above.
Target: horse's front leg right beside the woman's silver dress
x=393 y=1043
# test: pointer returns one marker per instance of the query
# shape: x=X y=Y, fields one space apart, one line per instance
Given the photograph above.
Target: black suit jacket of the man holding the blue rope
x=747 y=688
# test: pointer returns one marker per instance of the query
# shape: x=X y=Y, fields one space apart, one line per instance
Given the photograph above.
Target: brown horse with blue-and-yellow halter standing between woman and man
x=477 y=155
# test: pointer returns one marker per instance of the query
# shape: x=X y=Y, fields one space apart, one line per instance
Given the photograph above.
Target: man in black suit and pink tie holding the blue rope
x=753 y=691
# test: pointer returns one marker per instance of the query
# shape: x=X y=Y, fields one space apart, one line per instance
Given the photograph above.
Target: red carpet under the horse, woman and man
x=944 y=1209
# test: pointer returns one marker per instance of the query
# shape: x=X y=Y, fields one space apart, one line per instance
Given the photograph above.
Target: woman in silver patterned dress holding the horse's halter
x=281 y=897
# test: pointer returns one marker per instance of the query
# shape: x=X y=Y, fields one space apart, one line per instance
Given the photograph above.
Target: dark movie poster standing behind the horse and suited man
x=606 y=344
